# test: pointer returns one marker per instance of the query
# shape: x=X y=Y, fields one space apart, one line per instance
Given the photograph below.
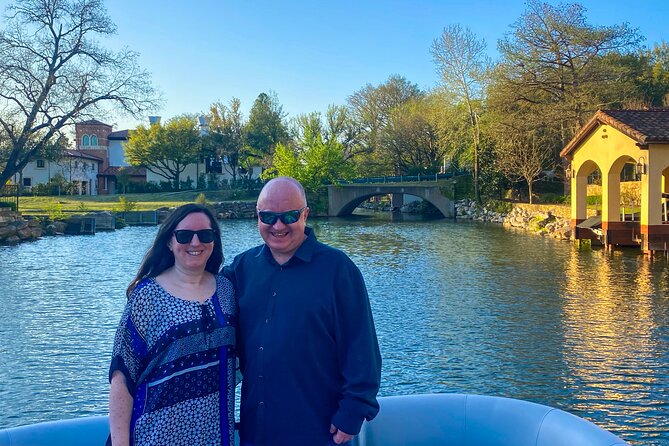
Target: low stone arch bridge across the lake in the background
x=344 y=198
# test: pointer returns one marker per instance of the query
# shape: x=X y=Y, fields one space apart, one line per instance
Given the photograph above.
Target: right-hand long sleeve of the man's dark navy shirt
x=358 y=351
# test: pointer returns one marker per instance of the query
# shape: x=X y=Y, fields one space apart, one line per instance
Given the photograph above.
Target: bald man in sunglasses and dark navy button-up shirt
x=307 y=345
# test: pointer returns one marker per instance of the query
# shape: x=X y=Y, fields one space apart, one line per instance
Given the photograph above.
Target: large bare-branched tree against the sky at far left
x=53 y=72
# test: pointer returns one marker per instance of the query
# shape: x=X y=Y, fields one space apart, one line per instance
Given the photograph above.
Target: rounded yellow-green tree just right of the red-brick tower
x=165 y=150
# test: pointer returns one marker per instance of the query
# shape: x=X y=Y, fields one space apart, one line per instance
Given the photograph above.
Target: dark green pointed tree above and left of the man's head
x=265 y=127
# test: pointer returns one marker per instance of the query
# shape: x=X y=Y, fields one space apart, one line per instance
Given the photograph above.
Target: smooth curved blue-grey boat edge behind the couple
x=407 y=420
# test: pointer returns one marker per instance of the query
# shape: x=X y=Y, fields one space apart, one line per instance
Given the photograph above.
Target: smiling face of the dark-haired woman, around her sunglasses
x=194 y=254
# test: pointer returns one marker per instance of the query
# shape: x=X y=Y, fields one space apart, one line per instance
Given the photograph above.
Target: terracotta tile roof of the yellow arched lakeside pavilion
x=643 y=126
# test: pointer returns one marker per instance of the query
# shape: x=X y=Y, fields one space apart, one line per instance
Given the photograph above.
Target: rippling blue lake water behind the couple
x=459 y=307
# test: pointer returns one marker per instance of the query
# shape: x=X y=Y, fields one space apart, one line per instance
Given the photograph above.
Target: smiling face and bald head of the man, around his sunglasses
x=282 y=239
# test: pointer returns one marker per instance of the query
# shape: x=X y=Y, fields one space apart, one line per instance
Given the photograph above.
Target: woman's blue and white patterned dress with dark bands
x=178 y=360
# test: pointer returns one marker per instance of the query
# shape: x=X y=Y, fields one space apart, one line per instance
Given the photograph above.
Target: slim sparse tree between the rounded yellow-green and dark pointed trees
x=225 y=136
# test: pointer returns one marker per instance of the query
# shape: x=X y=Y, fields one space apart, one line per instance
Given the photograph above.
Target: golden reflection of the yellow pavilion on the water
x=611 y=336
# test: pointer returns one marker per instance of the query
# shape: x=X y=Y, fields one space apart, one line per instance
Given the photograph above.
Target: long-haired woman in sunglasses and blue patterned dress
x=172 y=369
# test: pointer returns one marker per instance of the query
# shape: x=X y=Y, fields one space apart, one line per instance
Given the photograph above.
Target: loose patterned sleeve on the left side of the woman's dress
x=130 y=349
